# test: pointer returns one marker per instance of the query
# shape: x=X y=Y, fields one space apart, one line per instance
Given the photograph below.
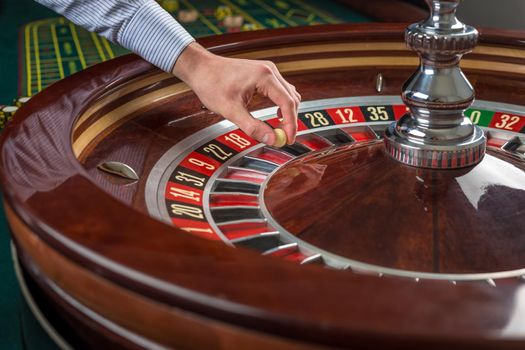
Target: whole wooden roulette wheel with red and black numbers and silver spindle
x=142 y=220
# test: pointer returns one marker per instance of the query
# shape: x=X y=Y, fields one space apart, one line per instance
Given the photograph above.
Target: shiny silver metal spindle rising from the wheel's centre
x=435 y=133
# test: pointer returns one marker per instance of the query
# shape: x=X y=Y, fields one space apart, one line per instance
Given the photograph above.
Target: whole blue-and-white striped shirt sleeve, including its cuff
x=141 y=26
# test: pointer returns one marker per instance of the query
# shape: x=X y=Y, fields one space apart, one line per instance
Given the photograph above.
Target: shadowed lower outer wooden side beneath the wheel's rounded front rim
x=173 y=327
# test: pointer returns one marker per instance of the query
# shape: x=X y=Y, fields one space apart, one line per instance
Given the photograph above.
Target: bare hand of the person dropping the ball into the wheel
x=226 y=86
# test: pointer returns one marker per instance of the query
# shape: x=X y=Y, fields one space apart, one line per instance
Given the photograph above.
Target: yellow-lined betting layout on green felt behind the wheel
x=54 y=48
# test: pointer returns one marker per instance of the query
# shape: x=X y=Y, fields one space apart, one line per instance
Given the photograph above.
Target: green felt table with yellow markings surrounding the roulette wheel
x=40 y=48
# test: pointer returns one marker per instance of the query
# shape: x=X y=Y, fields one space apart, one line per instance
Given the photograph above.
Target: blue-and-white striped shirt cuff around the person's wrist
x=155 y=35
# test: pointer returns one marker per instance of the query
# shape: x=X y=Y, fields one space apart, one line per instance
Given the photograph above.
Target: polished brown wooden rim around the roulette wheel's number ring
x=124 y=278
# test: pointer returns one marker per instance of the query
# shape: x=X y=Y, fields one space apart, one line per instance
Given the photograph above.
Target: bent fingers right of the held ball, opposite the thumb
x=287 y=102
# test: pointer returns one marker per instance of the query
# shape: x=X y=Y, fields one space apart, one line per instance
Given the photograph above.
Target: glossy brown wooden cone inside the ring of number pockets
x=362 y=205
